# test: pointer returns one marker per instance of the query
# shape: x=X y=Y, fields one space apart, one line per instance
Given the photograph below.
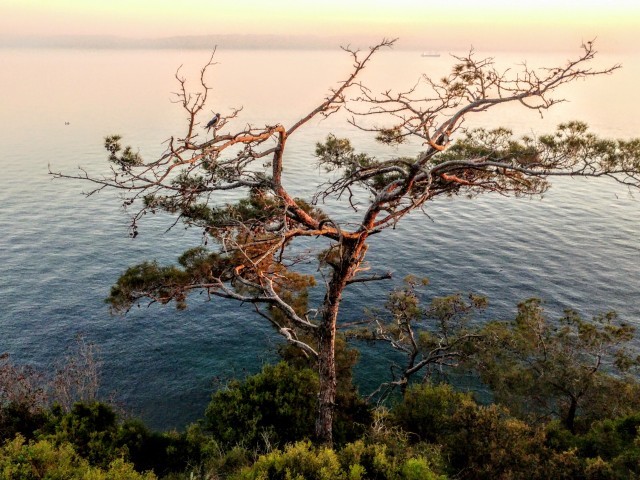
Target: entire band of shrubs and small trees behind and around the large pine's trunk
x=566 y=405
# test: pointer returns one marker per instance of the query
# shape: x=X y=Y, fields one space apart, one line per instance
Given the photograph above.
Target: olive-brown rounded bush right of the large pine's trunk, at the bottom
x=480 y=442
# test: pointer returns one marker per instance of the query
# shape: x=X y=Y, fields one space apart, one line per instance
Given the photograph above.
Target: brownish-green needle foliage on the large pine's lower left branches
x=243 y=228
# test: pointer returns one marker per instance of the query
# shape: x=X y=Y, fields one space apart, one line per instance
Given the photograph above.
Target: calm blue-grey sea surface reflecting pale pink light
x=60 y=252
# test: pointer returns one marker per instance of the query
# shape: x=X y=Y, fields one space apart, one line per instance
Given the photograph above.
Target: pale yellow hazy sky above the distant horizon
x=451 y=23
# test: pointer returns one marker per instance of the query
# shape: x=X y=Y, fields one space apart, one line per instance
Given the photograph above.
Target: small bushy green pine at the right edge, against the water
x=562 y=369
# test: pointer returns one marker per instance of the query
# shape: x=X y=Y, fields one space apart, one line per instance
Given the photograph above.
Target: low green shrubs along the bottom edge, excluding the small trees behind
x=433 y=430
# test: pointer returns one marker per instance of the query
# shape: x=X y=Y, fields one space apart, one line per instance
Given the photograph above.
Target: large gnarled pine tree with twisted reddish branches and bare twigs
x=256 y=237
